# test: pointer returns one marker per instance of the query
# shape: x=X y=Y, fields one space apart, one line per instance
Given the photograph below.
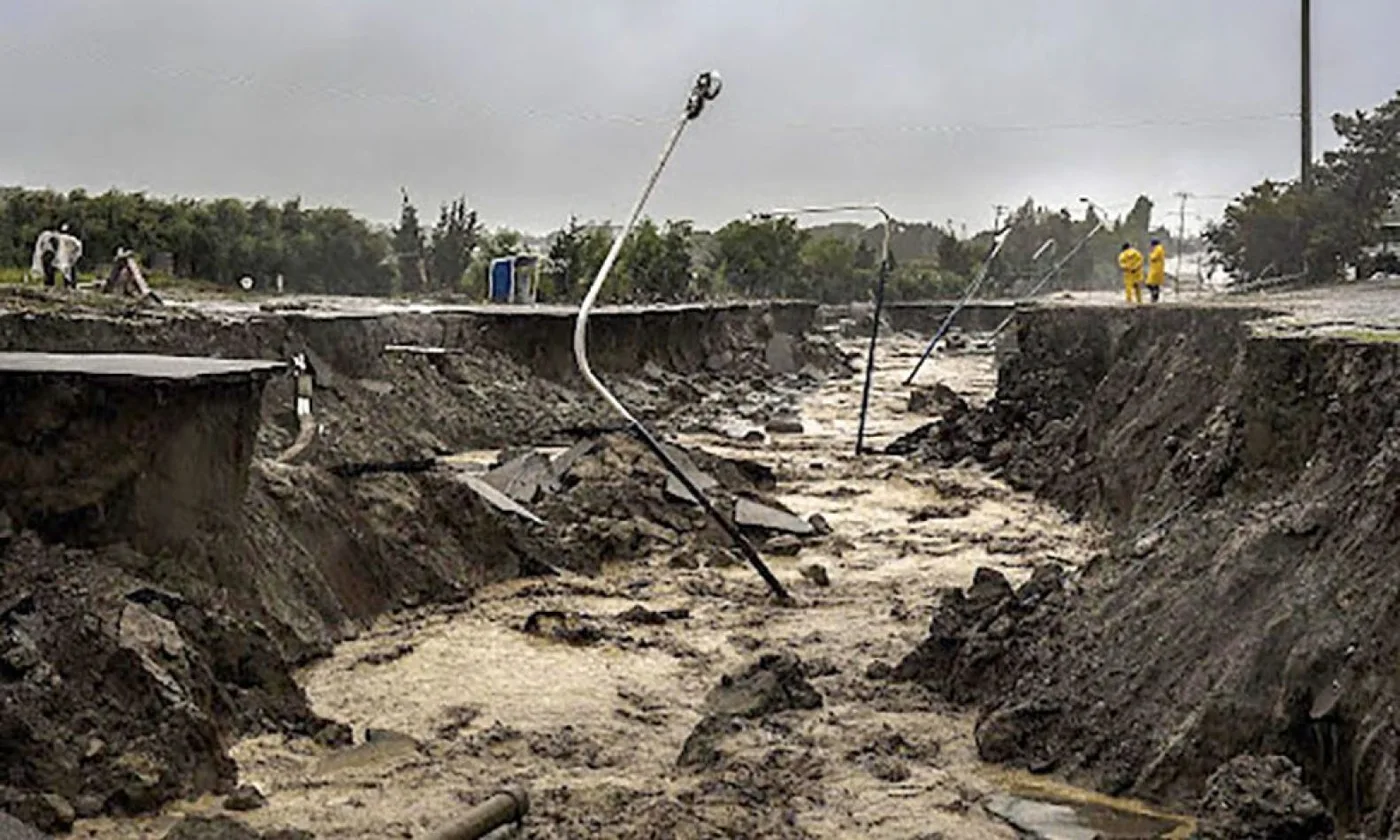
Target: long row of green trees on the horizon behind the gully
x=328 y=250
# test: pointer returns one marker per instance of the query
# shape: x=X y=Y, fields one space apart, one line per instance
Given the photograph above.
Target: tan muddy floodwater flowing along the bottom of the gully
x=460 y=702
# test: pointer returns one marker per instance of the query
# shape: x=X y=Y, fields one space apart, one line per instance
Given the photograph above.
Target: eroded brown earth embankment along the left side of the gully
x=199 y=639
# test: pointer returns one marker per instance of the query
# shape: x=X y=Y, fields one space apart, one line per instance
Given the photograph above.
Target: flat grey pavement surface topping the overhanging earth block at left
x=132 y=366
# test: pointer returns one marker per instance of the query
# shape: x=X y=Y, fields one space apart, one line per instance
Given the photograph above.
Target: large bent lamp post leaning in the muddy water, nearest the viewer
x=705 y=90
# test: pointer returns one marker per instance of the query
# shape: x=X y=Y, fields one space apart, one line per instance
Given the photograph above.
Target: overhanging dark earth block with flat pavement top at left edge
x=104 y=449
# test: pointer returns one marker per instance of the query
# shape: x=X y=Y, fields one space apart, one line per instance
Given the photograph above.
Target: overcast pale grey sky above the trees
x=542 y=108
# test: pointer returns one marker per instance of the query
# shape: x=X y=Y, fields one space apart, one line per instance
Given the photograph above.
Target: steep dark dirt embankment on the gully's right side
x=1249 y=600
